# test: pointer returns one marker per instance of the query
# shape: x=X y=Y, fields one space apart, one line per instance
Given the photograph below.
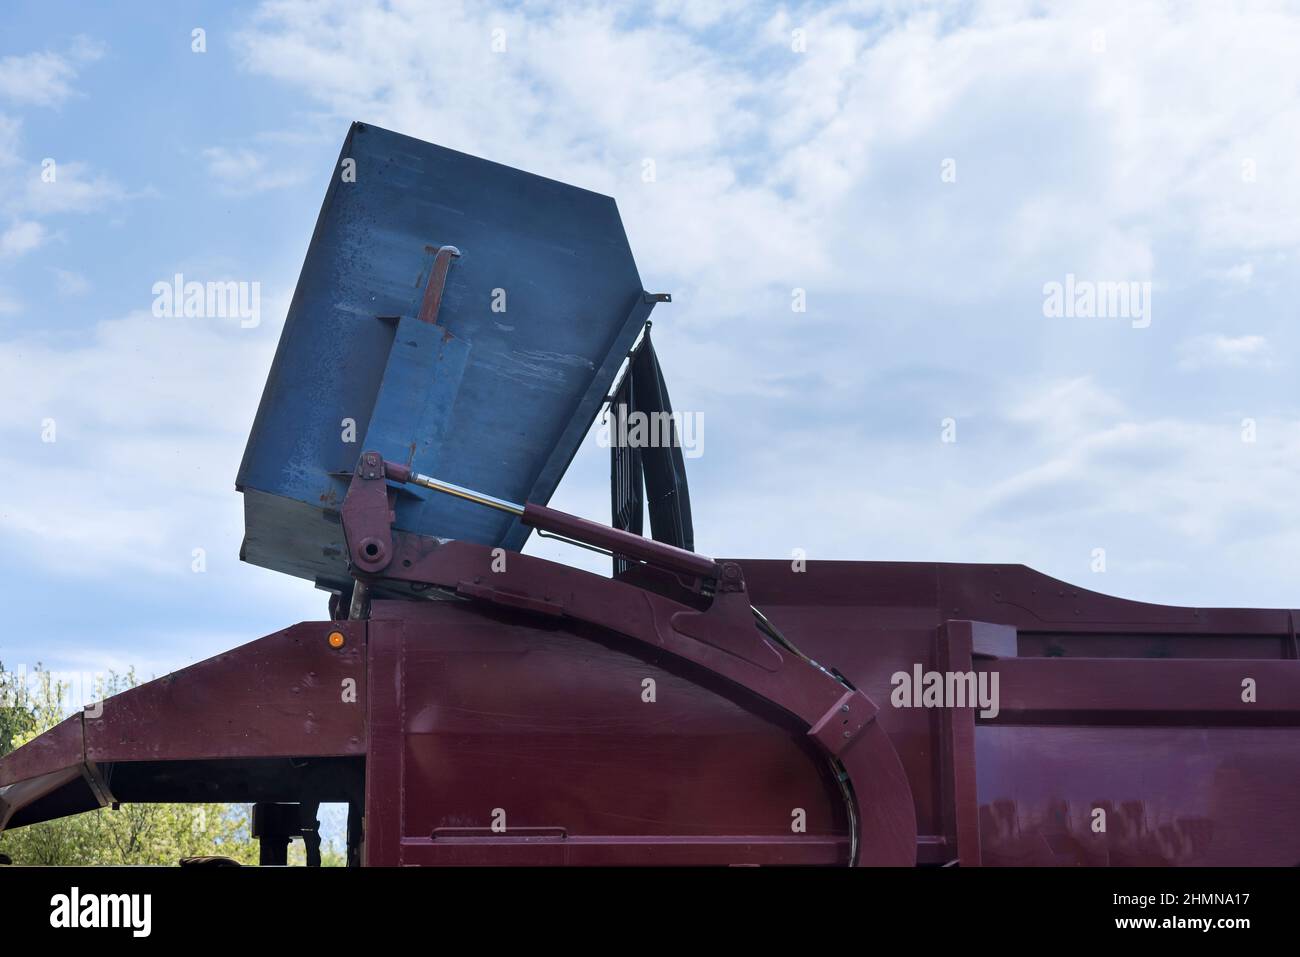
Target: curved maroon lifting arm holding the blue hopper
x=725 y=640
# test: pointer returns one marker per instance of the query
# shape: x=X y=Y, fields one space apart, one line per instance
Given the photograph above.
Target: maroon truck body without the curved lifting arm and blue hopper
x=486 y=734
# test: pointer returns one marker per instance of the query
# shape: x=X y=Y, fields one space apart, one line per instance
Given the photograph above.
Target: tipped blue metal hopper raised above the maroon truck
x=538 y=313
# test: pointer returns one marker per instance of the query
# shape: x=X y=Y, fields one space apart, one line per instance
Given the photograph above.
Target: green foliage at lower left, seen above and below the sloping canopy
x=144 y=834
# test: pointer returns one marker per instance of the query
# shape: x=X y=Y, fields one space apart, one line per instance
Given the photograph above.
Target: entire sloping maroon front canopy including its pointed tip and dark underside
x=192 y=735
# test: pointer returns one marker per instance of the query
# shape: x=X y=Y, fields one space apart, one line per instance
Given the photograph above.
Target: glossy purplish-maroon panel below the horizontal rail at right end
x=1171 y=796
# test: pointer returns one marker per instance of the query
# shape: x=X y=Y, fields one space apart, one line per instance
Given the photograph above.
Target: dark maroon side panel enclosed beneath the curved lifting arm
x=547 y=734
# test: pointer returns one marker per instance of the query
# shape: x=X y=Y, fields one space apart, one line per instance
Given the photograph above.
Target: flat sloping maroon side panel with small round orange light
x=280 y=696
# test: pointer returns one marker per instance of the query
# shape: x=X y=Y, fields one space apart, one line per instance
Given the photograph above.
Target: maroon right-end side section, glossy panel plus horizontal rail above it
x=1142 y=763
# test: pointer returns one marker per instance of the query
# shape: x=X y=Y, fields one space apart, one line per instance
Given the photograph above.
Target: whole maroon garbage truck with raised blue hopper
x=457 y=331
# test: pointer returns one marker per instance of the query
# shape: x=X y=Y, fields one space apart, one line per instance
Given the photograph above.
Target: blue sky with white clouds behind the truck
x=860 y=210
